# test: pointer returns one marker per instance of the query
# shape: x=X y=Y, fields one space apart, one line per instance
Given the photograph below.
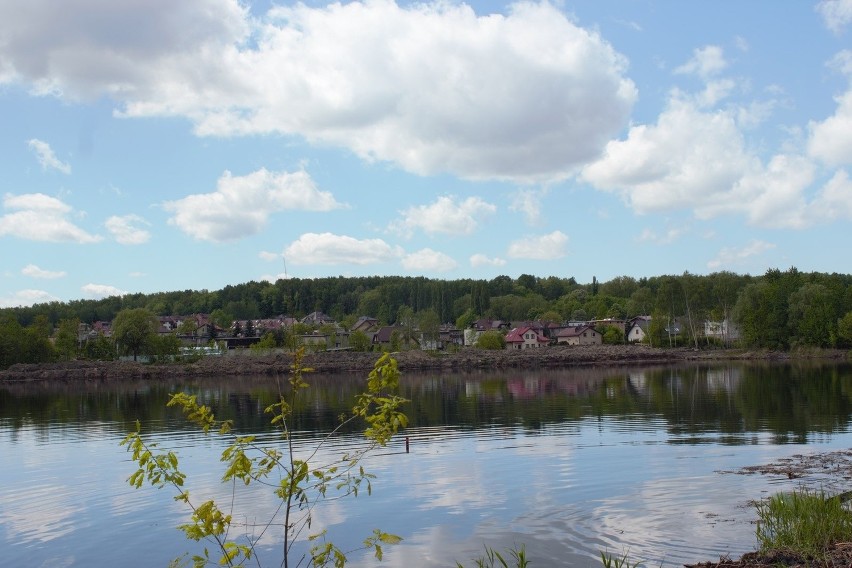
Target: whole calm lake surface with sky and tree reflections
x=567 y=463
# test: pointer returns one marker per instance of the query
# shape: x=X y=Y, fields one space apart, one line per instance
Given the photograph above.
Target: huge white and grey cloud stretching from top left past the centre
x=433 y=87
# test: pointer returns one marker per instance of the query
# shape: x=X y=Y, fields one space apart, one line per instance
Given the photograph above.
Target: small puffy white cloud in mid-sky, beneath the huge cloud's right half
x=447 y=215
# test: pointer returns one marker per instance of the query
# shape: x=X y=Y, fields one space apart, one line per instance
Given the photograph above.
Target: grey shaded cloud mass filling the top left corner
x=85 y=50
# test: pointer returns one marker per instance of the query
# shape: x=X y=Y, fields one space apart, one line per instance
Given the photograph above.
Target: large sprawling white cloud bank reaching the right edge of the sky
x=696 y=158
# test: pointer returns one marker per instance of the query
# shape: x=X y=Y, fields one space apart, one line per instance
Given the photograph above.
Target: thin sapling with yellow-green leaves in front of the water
x=300 y=484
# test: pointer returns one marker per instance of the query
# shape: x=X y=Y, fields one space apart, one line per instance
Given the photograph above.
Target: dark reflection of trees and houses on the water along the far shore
x=726 y=403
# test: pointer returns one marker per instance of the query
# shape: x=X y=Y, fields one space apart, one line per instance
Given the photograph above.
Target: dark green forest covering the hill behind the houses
x=775 y=310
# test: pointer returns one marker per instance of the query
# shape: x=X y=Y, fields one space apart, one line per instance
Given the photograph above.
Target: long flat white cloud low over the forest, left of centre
x=327 y=248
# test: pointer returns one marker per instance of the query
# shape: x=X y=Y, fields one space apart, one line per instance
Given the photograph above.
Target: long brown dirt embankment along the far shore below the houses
x=248 y=363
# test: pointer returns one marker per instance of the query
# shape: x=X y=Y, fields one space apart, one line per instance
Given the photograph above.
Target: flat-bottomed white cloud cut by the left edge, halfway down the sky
x=39 y=217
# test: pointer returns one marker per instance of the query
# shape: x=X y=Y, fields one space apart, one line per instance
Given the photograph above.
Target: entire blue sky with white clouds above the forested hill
x=148 y=145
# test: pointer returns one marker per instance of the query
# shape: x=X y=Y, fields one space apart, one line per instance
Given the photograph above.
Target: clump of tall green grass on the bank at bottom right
x=803 y=522
